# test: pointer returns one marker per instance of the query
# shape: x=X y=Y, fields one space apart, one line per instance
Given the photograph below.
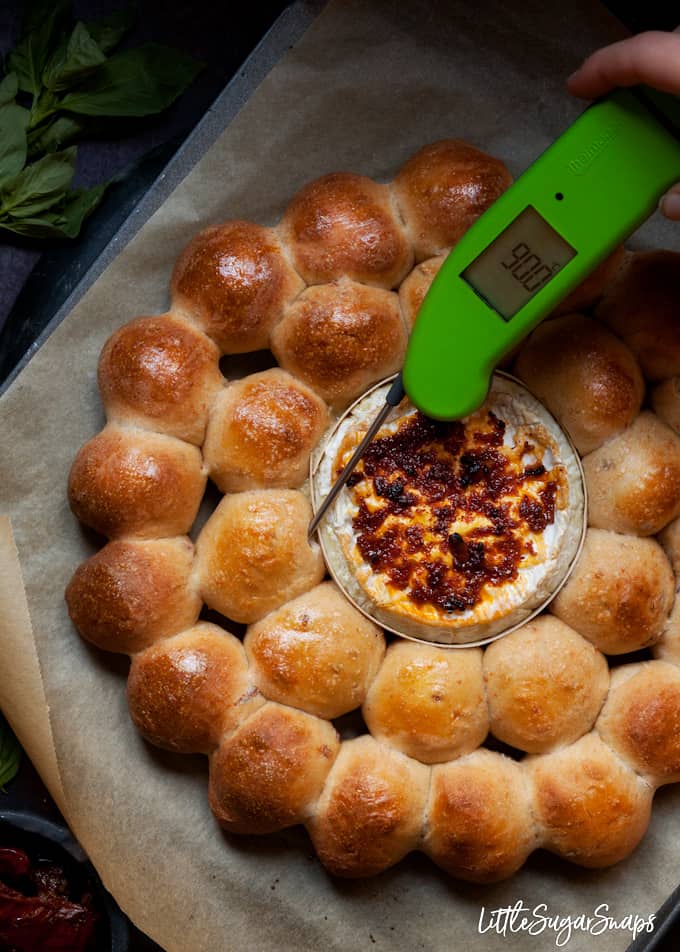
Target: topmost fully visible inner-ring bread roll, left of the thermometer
x=340 y=338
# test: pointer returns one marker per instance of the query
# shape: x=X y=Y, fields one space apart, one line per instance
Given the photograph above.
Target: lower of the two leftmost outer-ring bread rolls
x=129 y=594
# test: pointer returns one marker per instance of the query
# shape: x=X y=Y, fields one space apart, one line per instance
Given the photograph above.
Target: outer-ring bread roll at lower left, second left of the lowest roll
x=269 y=773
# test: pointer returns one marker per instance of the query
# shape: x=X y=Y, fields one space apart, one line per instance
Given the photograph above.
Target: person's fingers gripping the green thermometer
x=652 y=58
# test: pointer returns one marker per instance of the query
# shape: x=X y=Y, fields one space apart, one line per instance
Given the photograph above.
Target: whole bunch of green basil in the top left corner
x=64 y=74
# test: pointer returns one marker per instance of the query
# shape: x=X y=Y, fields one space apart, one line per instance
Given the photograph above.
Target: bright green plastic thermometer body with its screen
x=580 y=199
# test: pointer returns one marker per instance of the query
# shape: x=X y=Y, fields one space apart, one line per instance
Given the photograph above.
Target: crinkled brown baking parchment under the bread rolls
x=366 y=86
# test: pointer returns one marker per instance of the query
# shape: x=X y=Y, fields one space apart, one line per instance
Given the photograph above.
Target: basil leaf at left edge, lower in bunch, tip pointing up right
x=40 y=185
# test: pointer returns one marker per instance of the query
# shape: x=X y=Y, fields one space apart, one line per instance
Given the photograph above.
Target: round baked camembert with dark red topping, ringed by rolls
x=452 y=532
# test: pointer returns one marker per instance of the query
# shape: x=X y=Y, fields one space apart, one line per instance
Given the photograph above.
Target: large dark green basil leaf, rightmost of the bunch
x=137 y=82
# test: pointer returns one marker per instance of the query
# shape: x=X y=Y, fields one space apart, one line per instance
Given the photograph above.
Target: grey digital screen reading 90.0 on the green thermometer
x=519 y=263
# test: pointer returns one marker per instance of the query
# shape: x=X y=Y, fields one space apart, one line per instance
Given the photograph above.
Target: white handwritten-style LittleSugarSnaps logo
x=510 y=920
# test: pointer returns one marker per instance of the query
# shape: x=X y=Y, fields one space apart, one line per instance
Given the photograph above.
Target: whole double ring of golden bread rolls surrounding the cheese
x=587 y=751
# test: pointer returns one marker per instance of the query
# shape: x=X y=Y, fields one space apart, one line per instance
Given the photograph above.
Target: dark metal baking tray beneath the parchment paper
x=65 y=273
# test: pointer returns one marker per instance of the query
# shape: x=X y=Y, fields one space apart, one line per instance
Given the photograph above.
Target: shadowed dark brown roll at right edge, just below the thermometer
x=643 y=307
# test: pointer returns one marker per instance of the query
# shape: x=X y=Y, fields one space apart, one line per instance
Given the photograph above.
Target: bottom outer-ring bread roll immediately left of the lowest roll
x=370 y=813
